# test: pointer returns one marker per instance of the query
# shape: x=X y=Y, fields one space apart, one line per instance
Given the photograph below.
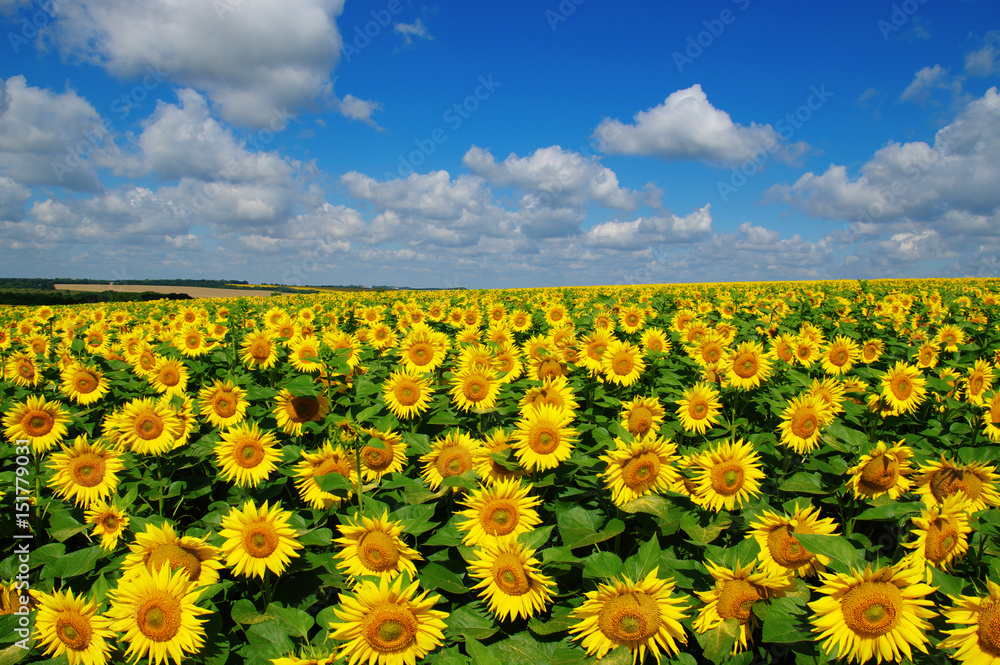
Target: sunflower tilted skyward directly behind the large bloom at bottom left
x=159 y=545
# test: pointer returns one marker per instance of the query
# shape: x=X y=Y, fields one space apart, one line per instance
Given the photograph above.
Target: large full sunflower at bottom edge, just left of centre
x=387 y=624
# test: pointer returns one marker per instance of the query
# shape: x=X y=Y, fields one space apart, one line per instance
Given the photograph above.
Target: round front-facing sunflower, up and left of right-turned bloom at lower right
x=729 y=474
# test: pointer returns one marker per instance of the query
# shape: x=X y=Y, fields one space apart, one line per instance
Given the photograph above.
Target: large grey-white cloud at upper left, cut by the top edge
x=254 y=58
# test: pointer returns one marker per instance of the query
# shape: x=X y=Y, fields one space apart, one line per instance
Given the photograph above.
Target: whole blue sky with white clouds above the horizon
x=511 y=145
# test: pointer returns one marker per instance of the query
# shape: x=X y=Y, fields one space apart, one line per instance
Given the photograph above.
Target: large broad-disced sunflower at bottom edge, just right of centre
x=640 y=616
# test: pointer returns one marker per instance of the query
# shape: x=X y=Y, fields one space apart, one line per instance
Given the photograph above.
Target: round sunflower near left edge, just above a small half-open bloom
x=85 y=472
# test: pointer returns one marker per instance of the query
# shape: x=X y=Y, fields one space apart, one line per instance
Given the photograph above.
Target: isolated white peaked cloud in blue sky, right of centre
x=687 y=126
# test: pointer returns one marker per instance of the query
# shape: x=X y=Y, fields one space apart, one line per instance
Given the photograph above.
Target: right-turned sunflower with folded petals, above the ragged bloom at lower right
x=781 y=553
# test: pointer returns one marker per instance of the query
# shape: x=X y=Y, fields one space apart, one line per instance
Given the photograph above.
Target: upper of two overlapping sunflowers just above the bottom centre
x=498 y=510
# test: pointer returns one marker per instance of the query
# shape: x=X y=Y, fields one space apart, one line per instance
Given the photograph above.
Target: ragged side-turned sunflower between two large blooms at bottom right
x=736 y=590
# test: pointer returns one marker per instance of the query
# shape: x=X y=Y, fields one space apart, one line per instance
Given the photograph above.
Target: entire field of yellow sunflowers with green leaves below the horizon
x=727 y=473
